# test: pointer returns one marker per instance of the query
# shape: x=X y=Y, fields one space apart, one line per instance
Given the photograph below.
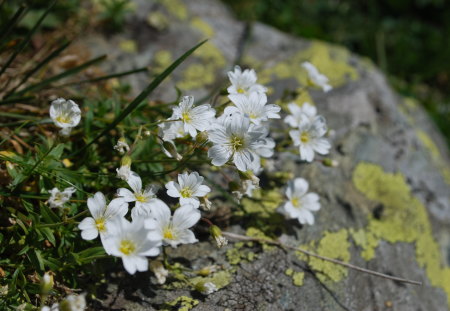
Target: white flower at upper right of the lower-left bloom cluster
x=189 y=188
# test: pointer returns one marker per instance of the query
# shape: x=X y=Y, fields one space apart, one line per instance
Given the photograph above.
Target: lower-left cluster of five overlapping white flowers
x=152 y=223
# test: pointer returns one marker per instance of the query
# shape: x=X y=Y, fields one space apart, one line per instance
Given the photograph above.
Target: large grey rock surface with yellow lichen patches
x=386 y=207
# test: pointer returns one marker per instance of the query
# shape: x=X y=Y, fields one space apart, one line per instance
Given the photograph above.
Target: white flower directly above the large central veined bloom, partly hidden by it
x=254 y=106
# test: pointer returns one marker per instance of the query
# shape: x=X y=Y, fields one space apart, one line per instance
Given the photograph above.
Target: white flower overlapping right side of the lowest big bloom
x=173 y=230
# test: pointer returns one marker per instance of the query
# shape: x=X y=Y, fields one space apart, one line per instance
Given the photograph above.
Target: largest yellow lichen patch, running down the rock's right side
x=404 y=219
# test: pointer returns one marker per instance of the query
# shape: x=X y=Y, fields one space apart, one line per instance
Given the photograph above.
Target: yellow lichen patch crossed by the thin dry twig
x=333 y=245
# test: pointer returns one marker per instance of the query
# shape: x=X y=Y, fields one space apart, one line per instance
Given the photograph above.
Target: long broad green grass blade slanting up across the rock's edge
x=138 y=100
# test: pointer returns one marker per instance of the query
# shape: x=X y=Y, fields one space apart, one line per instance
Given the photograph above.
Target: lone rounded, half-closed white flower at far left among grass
x=65 y=114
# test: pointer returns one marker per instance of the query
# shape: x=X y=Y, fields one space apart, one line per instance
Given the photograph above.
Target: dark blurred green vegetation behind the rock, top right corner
x=407 y=39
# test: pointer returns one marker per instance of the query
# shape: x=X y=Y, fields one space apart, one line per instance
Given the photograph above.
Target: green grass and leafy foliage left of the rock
x=33 y=159
